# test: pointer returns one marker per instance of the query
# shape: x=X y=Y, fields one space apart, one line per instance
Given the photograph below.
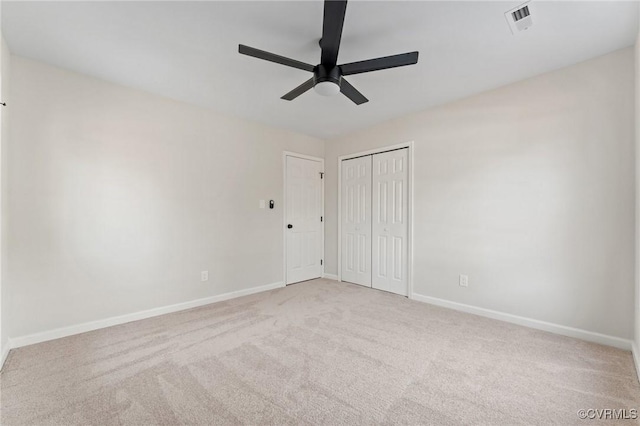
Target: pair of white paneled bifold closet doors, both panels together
x=374 y=216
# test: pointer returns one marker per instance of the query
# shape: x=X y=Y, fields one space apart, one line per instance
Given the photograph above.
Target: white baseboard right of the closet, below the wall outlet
x=529 y=322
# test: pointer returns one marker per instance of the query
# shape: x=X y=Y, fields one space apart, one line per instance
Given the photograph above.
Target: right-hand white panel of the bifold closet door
x=389 y=222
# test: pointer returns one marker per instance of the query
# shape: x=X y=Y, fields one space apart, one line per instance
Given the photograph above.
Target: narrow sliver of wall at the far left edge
x=5 y=64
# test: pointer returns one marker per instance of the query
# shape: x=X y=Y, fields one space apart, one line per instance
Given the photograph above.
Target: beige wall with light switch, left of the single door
x=118 y=199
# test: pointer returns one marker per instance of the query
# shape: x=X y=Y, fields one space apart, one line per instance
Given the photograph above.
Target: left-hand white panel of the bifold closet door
x=356 y=220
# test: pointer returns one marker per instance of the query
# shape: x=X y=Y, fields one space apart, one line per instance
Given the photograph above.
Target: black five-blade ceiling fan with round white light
x=328 y=76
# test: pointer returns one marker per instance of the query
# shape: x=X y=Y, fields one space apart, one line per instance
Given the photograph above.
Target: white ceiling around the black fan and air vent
x=189 y=50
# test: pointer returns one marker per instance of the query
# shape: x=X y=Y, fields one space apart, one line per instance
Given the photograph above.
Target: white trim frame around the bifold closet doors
x=380 y=150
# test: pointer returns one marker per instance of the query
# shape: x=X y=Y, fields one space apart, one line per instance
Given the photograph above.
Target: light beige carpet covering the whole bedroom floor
x=319 y=352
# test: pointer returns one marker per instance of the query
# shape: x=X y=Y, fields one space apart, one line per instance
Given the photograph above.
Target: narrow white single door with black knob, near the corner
x=303 y=213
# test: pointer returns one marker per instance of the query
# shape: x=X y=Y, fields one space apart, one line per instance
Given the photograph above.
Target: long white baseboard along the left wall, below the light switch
x=57 y=333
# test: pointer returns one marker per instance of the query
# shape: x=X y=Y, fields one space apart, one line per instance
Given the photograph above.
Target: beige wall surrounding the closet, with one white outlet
x=528 y=189
